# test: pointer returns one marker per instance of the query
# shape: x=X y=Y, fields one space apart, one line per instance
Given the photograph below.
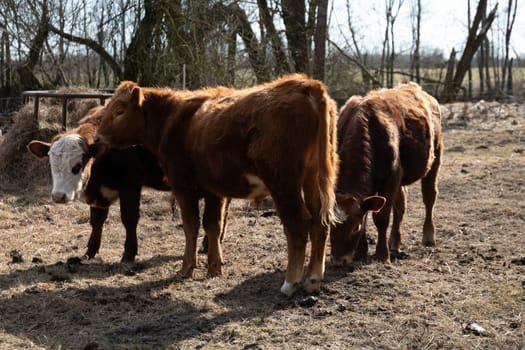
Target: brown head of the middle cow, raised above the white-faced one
x=123 y=121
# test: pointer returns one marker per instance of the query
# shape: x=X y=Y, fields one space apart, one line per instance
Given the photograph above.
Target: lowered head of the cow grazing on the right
x=344 y=237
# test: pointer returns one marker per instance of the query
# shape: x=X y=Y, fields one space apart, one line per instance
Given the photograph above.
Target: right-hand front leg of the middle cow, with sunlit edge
x=212 y=222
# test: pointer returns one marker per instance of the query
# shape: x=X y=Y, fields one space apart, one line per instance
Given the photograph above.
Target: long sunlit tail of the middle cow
x=328 y=157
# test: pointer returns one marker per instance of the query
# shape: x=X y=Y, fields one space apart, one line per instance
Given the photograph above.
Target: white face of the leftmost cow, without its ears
x=66 y=157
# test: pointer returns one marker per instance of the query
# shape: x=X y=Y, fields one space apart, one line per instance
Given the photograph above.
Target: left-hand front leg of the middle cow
x=189 y=209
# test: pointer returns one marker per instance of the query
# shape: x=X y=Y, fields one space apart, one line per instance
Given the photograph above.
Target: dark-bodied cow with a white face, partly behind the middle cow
x=114 y=174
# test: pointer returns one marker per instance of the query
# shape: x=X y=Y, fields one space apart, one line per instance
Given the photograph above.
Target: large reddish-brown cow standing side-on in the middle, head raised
x=275 y=139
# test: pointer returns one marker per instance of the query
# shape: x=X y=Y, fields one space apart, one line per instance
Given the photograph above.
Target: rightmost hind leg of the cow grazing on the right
x=429 y=190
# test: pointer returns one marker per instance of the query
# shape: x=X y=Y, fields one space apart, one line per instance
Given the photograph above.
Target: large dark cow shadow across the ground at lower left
x=135 y=315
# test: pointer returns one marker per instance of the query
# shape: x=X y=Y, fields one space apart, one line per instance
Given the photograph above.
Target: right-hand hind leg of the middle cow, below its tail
x=318 y=235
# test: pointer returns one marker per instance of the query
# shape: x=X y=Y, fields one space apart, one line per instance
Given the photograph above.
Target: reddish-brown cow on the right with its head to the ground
x=388 y=139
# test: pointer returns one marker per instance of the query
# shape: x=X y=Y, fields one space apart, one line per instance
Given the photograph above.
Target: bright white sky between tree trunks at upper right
x=443 y=24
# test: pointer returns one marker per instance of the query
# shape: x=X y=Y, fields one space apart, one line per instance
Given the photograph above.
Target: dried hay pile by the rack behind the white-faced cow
x=20 y=170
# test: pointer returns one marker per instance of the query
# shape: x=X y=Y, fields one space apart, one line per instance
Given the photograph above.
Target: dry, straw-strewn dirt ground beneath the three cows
x=474 y=277
